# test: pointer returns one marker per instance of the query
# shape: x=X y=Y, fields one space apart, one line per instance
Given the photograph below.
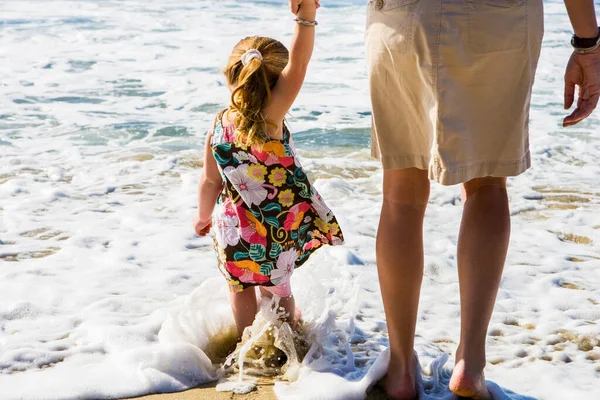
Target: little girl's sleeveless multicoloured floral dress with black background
x=269 y=218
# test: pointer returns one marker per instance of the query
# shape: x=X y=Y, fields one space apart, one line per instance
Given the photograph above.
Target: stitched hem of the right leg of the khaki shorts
x=499 y=169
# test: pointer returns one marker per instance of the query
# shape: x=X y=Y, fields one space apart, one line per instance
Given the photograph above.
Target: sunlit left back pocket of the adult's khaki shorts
x=390 y=25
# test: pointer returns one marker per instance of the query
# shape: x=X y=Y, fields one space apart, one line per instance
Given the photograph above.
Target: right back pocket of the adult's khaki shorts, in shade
x=497 y=25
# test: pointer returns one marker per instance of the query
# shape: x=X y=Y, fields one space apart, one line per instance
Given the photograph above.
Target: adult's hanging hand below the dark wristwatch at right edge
x=583 y=70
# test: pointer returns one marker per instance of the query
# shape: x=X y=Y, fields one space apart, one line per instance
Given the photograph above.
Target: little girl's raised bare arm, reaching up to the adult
x=289 y=83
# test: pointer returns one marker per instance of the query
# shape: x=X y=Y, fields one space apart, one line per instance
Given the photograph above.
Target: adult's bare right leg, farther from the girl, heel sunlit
x=482 y=248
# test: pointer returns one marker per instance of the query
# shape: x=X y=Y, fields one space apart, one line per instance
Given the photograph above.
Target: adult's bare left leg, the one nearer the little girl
x=400 y=267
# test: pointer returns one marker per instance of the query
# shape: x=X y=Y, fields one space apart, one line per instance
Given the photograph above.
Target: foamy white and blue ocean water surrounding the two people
x=105 y=292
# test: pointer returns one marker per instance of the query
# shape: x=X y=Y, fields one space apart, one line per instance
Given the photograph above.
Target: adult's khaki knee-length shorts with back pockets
x=451 y=84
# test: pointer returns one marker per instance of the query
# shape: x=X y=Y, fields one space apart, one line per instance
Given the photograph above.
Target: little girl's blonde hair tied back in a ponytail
x=252 y=85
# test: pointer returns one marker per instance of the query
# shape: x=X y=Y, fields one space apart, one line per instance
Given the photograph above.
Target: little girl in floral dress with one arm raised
x=270 y=218
